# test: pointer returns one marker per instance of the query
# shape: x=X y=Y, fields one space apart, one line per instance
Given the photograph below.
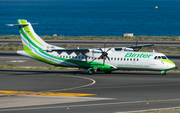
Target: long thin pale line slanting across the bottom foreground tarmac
x=86 y=105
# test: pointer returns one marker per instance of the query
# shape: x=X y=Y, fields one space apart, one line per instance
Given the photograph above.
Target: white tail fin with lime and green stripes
x=29 y=38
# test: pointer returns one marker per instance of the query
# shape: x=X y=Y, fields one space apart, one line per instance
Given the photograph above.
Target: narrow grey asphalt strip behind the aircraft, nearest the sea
x=97 y=42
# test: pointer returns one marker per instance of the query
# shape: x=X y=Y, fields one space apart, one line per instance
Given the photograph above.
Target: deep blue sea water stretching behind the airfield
x=93 y=17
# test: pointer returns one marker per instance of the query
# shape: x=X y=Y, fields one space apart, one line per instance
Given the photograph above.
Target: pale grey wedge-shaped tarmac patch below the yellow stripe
x=29 y=101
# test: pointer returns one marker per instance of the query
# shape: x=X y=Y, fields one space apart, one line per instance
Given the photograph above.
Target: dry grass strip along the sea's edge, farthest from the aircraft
x=140 y=37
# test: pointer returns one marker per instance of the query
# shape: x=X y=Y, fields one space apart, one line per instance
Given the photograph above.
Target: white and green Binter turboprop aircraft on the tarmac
x=103 y=59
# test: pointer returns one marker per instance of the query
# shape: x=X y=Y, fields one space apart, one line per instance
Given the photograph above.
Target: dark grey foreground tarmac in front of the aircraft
x=118 y=92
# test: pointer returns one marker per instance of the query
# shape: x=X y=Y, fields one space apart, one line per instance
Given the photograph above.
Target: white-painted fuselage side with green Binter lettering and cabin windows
x=124 y=60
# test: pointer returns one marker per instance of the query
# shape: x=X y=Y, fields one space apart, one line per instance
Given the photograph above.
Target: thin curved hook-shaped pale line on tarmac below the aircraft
x=72 y=88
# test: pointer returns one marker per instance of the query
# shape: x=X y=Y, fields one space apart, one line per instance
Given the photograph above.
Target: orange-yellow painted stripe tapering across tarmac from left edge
x=44 y=93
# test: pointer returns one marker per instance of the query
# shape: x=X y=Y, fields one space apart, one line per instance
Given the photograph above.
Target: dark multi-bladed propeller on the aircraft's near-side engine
x=104 y=53
